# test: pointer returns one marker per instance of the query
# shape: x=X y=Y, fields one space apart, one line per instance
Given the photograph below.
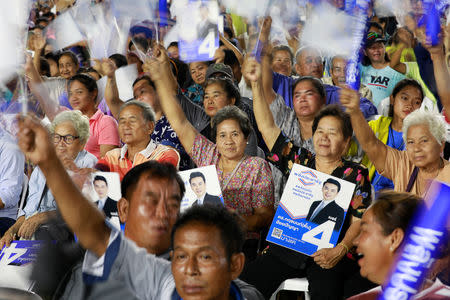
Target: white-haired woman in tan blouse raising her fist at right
x=411 y=169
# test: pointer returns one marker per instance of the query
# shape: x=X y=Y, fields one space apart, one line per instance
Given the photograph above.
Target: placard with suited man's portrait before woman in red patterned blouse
x=202 y=187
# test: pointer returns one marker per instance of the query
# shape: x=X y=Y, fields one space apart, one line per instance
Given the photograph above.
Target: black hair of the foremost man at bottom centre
x=229 y=224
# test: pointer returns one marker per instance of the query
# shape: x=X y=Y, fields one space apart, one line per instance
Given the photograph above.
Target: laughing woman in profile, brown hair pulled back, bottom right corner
x=383 y=230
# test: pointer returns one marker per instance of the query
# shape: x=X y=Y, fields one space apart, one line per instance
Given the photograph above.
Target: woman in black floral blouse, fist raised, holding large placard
x=331 y=133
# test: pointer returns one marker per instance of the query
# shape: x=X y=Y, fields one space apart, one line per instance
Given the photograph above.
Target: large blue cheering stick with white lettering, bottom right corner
x=426 y=232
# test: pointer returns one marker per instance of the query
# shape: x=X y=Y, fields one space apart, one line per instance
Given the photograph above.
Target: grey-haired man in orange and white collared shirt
x=136 y=124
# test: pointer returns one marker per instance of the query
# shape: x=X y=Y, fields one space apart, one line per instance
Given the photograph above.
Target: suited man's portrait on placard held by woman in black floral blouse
x=327 y=208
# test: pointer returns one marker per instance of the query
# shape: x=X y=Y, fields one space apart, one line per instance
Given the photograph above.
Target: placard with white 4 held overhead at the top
x=198 y=31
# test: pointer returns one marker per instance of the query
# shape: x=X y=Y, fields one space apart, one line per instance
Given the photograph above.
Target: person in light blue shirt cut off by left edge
x=11 y=180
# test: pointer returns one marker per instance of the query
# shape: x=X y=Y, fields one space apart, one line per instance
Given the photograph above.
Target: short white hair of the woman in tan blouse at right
x=434 y=121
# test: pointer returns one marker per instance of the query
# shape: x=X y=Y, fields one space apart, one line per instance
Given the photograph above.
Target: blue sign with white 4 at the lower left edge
x=20 y=252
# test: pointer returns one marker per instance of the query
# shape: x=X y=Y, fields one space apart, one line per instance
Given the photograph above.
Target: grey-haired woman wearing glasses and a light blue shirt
x=70 y=132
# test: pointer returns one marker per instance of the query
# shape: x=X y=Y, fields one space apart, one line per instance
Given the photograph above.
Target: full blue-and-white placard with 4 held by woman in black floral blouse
x=311 y=212
